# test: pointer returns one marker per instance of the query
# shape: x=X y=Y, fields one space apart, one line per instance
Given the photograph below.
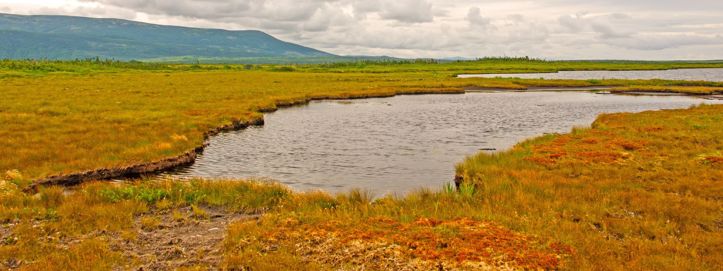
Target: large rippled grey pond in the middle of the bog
x=403 y=143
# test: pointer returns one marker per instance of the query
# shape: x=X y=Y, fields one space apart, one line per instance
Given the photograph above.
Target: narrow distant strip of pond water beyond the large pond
x=681 y=74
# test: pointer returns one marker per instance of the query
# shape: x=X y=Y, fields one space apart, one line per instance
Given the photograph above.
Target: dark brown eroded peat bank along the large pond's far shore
x=189 y=157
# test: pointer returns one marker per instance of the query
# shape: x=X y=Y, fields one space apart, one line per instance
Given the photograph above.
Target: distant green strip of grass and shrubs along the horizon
x=349 y=65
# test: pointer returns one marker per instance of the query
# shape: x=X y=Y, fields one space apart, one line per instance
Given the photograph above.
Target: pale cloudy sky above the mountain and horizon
x=549 y=29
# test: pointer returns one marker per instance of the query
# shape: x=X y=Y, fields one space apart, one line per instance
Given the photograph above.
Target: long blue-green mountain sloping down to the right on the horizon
x=69 y=37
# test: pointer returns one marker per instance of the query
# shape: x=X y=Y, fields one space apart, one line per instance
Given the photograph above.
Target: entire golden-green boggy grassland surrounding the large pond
x=633 y=191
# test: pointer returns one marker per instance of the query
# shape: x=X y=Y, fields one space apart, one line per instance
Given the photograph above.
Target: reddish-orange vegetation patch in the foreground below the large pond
x=450 y=243
